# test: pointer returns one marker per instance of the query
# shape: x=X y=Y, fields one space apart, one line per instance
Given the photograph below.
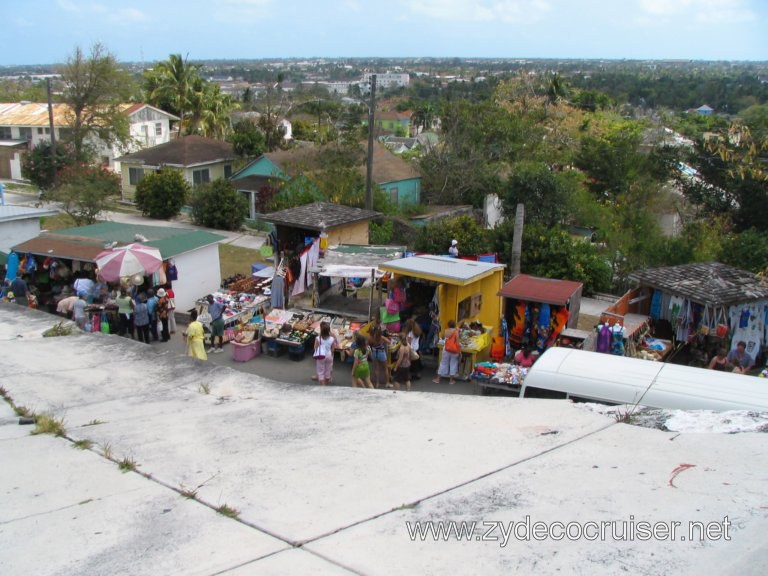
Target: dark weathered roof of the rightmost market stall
x=710 y=283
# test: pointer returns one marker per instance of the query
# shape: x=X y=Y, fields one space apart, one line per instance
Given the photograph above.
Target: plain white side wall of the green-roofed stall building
x=199 y=275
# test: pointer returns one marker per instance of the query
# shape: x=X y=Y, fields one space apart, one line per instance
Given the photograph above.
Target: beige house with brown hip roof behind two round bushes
x=199 y=159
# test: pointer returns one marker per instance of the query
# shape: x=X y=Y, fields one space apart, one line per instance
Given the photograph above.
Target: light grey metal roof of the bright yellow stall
x=441 y=268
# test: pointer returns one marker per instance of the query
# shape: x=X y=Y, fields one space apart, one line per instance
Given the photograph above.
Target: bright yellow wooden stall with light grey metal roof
x=466 y=291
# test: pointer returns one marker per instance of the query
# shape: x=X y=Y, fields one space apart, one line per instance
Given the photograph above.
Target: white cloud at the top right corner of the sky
x=702 y=11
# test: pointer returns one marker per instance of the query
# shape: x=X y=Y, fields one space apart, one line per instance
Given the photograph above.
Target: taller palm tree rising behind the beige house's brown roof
x=173 y=81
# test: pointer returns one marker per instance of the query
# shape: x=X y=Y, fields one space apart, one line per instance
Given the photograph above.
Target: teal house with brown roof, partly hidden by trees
x=394 y=175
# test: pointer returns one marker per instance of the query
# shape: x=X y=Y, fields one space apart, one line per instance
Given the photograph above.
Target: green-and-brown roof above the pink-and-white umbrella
x=85 y=242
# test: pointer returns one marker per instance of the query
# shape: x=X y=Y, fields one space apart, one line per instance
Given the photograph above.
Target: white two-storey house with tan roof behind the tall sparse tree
x=28 y=123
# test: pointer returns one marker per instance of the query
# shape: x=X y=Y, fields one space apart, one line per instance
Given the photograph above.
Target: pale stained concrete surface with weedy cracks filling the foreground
x=327 y=480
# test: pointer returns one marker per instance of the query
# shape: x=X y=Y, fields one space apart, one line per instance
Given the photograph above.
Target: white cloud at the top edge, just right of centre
x=507 y=11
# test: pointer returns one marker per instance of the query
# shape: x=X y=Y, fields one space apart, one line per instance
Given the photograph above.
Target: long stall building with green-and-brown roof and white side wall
x=195 y=253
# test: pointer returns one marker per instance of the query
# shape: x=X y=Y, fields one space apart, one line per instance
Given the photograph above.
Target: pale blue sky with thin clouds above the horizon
x=47 y=31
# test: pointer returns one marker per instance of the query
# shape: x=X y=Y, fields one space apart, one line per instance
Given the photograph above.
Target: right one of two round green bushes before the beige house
x=219 y=205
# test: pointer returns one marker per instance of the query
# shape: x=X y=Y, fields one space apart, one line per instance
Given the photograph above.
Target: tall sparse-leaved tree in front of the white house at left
x=95 y=90
